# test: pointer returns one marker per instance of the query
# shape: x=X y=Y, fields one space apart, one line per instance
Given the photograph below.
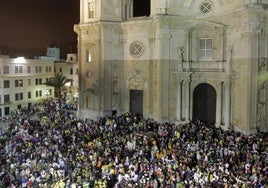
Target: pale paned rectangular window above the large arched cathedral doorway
x=205 y=49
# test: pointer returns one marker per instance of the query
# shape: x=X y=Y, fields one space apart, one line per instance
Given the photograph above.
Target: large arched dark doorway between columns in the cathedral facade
x=204 y=103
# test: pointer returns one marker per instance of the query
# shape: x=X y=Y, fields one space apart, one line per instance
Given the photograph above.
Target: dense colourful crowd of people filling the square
x=59 y=150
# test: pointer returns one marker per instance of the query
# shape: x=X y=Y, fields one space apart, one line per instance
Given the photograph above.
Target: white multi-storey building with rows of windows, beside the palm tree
x=22 y=83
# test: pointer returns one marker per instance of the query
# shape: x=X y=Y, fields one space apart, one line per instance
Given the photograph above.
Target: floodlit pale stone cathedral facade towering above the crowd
x=175 y=61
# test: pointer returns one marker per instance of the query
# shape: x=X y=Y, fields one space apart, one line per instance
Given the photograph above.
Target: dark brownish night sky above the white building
x=29 y=26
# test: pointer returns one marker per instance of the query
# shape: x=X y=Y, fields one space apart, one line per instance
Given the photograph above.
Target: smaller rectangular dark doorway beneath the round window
x=136 y=102
